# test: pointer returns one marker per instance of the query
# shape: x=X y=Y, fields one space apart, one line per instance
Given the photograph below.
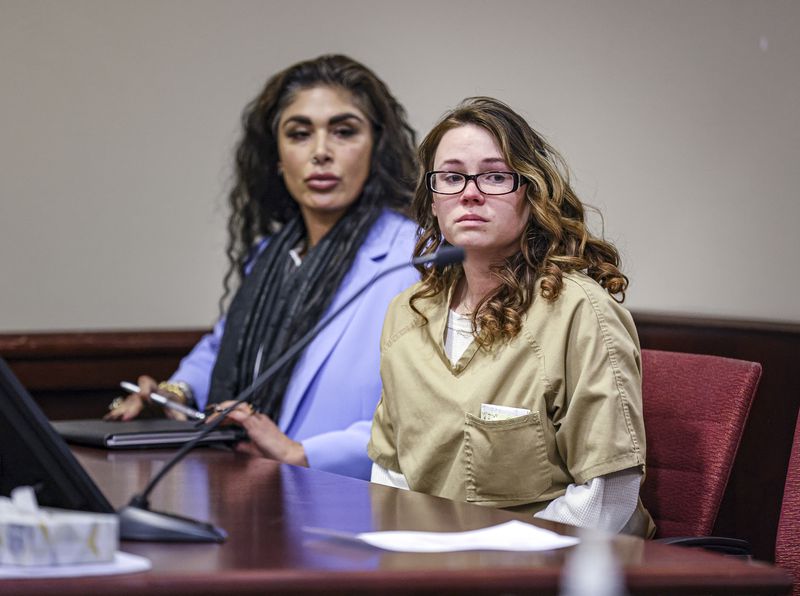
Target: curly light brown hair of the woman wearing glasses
x=555 y=240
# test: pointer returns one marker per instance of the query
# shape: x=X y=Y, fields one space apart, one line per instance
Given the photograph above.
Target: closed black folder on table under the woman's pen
x=154 y=432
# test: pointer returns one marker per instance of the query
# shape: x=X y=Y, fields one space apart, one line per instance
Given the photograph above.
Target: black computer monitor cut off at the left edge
x=32 y=453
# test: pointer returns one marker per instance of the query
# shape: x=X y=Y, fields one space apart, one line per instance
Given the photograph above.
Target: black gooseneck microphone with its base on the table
x=138 y=522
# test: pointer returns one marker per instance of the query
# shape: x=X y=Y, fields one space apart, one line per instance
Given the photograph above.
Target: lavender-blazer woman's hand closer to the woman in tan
x=266 y=439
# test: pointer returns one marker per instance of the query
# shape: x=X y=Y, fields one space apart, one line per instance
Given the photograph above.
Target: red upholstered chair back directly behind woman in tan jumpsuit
x=695 y=408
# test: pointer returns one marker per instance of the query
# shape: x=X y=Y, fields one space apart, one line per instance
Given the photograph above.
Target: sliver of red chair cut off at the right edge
x=787 y=544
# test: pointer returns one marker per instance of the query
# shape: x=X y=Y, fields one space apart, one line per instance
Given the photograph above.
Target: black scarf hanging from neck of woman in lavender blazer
x=278 y=302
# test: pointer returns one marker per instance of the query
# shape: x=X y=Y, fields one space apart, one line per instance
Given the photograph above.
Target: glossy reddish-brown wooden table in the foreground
x=264 y=506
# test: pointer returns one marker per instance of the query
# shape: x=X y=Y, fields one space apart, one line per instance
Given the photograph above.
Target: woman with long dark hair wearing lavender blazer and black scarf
x=325 y=170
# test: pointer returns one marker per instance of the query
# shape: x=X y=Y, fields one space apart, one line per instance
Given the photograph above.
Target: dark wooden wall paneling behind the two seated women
x=74 y=375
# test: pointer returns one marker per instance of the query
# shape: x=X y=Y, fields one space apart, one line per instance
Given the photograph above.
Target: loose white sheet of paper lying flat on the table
x=513 y=536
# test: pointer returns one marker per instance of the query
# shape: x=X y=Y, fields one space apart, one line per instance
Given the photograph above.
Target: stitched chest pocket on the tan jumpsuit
x=506 y=460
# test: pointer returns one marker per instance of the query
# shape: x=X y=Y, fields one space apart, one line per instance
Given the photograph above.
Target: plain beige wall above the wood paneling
x=117 y=119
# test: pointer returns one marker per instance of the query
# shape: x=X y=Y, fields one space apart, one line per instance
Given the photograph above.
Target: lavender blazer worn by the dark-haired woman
x=330 y=400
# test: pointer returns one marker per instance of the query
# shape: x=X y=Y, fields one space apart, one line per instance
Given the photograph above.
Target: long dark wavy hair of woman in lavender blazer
x=259 y=200
